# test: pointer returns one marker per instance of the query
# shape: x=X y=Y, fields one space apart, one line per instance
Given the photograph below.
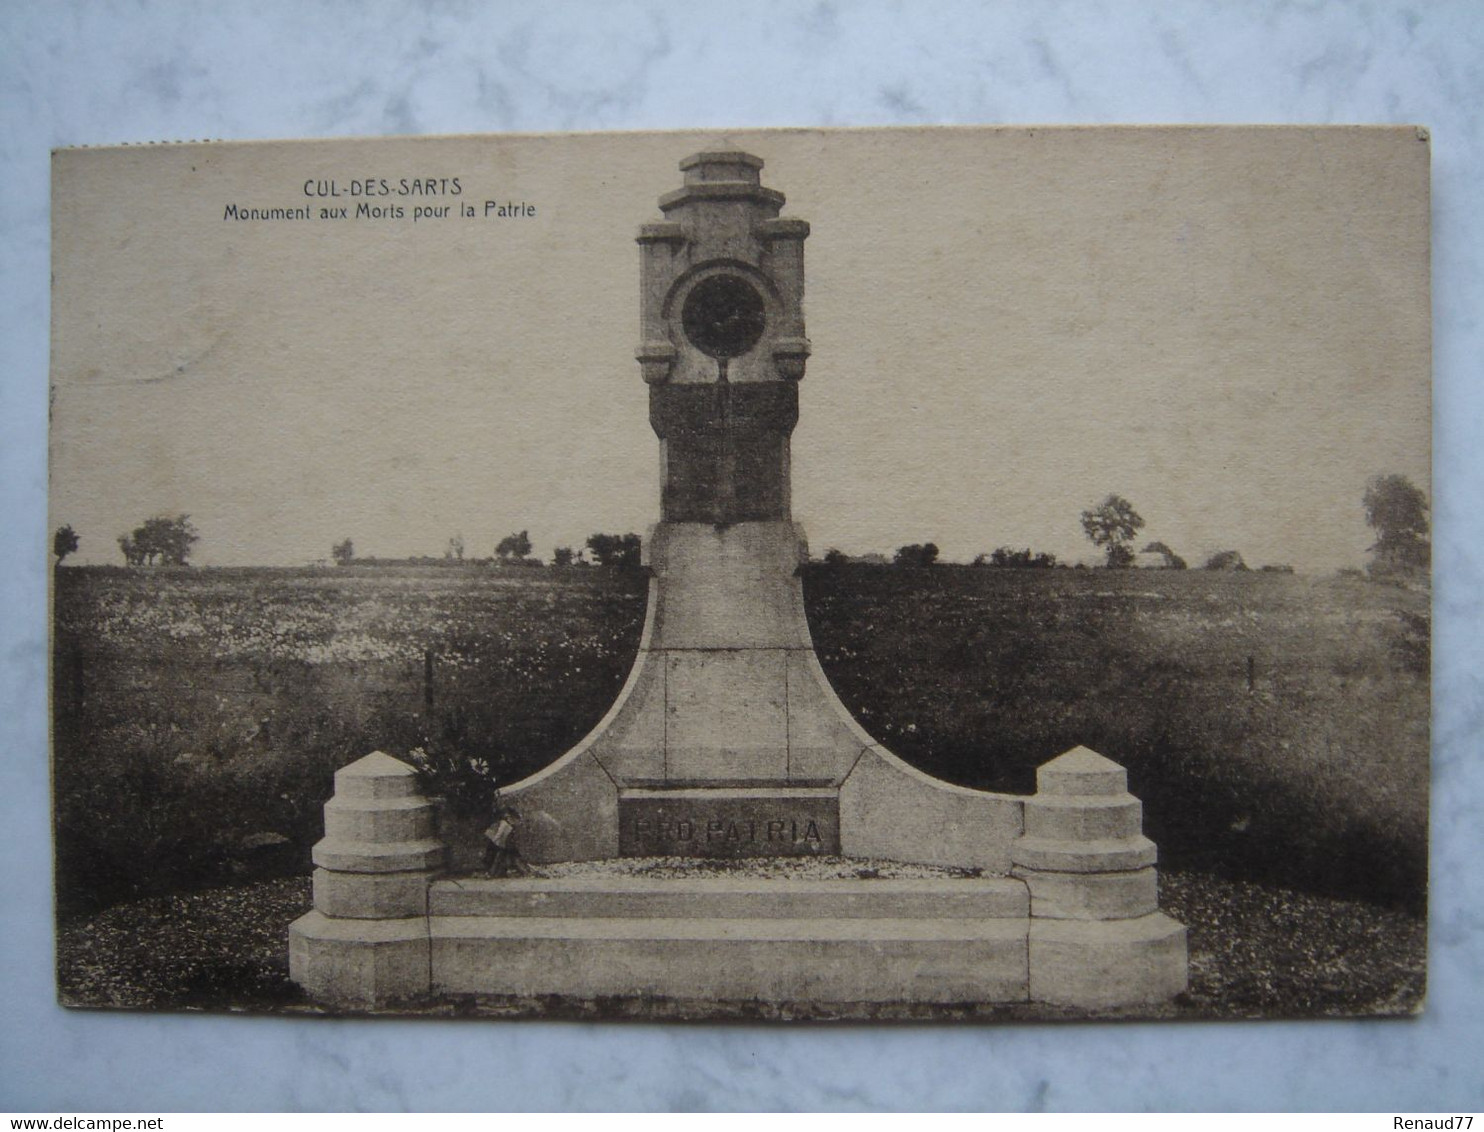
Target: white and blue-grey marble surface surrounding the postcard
x=94 y=73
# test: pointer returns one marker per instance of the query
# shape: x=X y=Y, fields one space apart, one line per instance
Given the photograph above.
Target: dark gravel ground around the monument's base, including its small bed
x=1256 y=952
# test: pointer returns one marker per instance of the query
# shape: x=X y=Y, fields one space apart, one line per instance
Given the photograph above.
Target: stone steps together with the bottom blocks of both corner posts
x=772 y=941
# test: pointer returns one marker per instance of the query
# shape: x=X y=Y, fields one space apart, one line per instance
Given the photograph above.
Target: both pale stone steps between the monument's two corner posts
x=741 y=938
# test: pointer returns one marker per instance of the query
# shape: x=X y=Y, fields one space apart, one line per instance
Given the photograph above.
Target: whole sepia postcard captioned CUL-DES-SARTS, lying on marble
x=798 y=575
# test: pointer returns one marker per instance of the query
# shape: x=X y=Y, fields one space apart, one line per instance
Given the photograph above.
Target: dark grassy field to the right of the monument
x=1277 y=728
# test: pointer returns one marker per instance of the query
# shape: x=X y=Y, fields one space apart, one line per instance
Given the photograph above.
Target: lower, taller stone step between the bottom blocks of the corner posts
x=775 y=961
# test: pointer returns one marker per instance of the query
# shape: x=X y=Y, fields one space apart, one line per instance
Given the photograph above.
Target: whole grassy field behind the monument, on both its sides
x=1275 y=726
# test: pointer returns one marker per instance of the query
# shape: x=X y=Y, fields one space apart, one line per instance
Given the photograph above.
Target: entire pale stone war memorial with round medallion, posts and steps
x=729 y=743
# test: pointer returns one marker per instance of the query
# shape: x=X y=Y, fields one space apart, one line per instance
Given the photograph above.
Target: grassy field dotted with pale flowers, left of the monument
x=201 y=716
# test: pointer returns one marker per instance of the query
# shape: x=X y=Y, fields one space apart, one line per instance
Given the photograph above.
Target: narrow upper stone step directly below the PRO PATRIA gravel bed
x=732 y=900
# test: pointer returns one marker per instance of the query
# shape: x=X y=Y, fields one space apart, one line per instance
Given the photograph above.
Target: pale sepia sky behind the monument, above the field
x=1228 y=327
